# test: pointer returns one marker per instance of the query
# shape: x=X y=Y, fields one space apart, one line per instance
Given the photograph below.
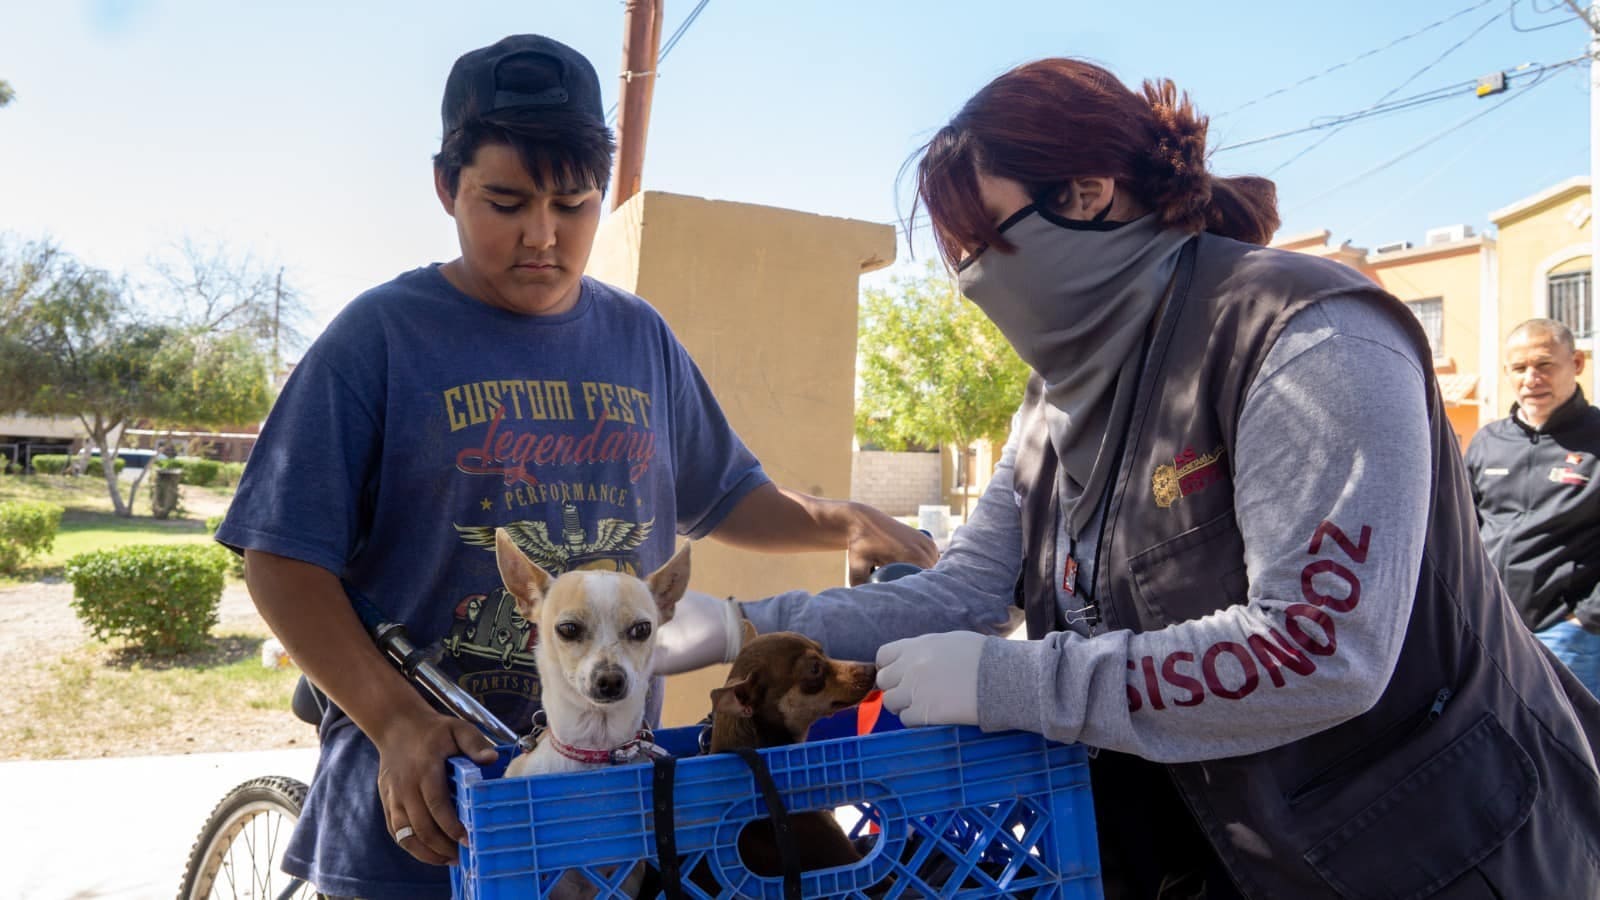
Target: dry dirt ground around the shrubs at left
x=38 y=627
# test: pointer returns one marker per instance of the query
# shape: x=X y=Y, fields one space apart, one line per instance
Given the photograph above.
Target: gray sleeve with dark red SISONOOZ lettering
x=1332 y=489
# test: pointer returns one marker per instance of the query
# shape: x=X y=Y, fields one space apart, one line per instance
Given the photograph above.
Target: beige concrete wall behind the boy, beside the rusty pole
x=766 y=302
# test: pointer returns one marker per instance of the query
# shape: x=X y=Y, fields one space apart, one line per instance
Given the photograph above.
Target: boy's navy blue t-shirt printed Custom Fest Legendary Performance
x=417 y=425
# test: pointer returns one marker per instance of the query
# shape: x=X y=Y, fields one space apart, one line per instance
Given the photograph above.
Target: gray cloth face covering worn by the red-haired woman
x=1076 y=300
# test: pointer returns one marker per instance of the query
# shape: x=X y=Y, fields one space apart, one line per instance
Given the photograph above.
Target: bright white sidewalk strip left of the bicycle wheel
x=118 y=829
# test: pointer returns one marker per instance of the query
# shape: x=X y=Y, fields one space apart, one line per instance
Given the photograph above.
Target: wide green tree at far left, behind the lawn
x=76 y=345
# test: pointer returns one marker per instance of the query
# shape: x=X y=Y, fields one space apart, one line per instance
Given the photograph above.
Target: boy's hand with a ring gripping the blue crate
x=412 y=782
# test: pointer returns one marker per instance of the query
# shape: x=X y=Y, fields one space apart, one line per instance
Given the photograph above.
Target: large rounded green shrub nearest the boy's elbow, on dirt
x=162 y=598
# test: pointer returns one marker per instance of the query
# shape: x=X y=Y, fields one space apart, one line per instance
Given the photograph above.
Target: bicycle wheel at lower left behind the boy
x=241 y=845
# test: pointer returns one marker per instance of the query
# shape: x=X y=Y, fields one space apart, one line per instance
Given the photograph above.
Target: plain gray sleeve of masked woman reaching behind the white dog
x=970 y=590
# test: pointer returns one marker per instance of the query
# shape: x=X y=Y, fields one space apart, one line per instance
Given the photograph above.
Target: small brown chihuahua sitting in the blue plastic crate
x=778 y=688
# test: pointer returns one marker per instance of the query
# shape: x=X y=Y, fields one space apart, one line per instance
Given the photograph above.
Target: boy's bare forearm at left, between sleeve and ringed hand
x=310 y=613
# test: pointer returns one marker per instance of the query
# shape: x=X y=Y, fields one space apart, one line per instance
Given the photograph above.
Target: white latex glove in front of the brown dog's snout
x=932 y=680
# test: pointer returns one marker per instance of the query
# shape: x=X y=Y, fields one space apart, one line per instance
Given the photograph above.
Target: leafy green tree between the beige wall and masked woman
x=934 y=368
